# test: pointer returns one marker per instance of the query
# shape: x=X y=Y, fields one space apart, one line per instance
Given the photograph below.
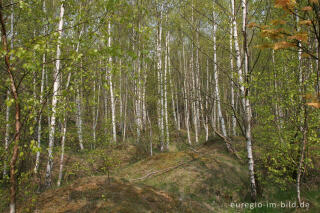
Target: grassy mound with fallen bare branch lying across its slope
x=208 y=174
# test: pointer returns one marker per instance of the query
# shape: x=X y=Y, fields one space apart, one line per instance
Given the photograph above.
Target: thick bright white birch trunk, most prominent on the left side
x=56 y=86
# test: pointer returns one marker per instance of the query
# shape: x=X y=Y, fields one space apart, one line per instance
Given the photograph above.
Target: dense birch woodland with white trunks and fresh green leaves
x=81 y=77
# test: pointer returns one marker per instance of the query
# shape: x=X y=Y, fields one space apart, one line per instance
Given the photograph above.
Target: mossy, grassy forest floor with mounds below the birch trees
x=204 y=178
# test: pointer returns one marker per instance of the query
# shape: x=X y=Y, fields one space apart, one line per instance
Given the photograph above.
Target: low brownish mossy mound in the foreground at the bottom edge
x=96 y=194
